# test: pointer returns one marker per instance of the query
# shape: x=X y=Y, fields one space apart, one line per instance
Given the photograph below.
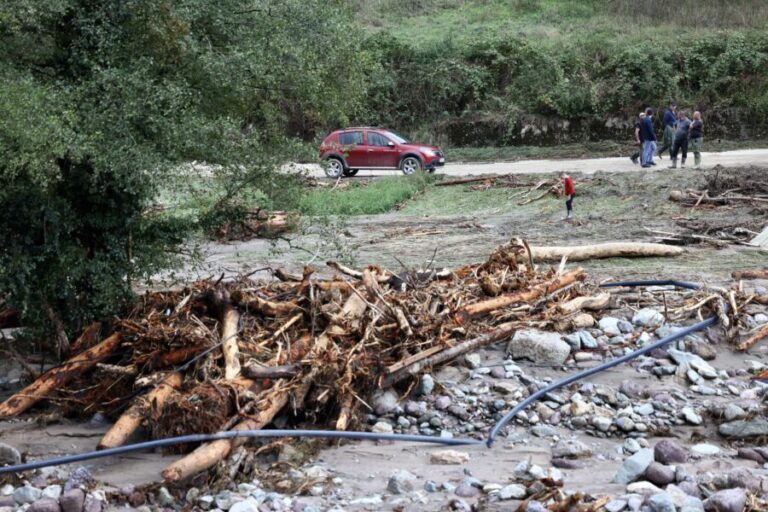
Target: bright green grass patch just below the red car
x=378 y=196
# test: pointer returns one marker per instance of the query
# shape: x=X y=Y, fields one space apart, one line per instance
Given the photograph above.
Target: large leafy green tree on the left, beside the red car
x=100 y=101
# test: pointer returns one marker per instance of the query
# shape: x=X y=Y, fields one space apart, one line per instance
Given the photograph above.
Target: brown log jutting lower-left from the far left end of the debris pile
x=58 y=377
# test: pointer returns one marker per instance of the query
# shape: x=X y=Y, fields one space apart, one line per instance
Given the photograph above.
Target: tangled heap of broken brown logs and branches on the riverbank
x=298 y=349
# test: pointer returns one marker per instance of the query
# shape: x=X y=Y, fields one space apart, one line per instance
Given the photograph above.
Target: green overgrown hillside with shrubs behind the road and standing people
x=529 y=72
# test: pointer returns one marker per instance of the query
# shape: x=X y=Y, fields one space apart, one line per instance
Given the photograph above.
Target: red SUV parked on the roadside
x=347 y=151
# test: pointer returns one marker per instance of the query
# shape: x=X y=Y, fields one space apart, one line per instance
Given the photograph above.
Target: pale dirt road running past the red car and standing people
x=740 y=158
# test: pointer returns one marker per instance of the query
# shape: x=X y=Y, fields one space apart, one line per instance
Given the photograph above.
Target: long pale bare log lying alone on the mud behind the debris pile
x=608 y=250
